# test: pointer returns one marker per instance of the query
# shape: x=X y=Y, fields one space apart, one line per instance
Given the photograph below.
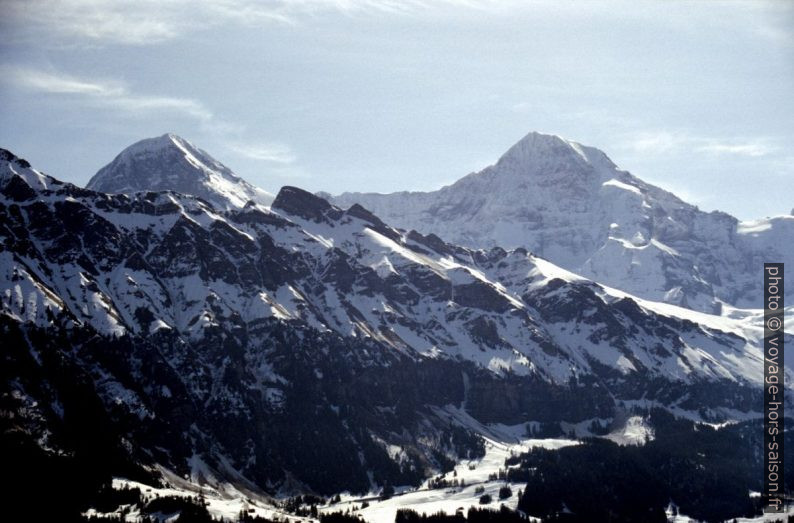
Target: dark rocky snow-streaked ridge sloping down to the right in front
x=210 y=336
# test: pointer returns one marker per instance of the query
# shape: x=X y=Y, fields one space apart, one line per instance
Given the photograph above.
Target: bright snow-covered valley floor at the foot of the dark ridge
x=464 y=485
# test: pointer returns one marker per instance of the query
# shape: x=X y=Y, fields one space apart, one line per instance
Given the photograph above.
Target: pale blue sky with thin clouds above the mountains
x=369 y=95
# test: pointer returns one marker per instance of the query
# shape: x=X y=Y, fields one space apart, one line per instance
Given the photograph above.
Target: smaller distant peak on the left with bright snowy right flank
x=171 y=163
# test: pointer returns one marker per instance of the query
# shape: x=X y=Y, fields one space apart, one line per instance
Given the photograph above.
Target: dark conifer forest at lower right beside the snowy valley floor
x=706 y=472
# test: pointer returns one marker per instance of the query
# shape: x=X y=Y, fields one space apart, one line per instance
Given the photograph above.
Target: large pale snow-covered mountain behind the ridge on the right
x=570 y=204
